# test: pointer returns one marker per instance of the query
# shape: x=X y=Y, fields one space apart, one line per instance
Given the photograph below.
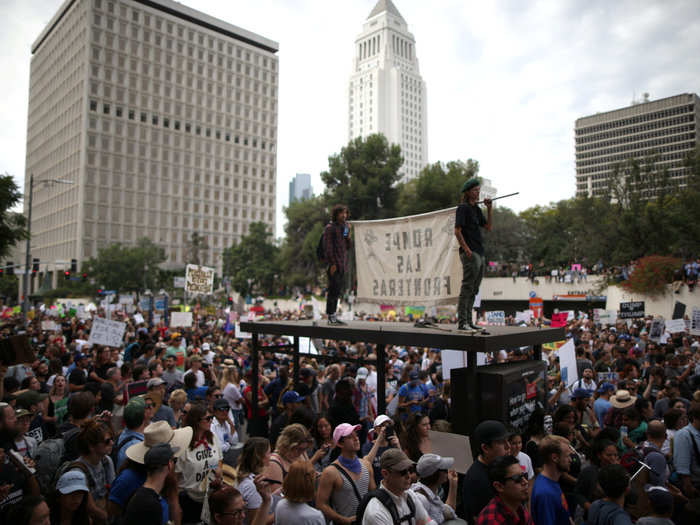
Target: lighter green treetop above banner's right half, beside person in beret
x=438 y=186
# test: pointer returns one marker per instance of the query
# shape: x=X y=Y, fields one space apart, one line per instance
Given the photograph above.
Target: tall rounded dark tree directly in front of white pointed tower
x=363 y=176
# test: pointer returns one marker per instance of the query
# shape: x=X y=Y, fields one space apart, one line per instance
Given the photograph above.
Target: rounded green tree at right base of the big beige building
x=253 y=263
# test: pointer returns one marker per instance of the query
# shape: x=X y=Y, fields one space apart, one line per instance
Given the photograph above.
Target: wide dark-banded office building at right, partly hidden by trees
x=666 y=128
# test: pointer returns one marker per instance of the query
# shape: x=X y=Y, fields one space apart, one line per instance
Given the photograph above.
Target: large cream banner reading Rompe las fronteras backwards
x=408 y=261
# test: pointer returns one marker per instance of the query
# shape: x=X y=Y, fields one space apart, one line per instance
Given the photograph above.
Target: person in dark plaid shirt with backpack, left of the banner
x=336 y=243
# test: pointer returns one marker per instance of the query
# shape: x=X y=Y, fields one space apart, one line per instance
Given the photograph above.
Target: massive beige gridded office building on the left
x=162 y=117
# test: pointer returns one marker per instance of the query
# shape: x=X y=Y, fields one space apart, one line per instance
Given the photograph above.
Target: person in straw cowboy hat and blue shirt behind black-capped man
x=130 y=479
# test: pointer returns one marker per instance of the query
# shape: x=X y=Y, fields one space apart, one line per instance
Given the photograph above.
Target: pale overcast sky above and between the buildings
x=505 y=79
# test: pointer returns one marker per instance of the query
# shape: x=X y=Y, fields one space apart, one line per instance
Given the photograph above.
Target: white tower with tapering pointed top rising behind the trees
x=386 y=93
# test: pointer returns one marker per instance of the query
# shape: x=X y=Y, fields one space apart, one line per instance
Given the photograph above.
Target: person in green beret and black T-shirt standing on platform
x=468 y=221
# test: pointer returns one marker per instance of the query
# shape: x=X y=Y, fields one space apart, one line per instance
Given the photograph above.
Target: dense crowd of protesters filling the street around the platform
x=161 y=429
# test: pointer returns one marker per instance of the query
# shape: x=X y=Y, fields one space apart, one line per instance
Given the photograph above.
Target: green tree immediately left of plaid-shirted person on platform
x=305 y=222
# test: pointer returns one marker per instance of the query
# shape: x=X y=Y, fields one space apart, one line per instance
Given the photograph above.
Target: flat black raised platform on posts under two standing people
x=398 y=333
